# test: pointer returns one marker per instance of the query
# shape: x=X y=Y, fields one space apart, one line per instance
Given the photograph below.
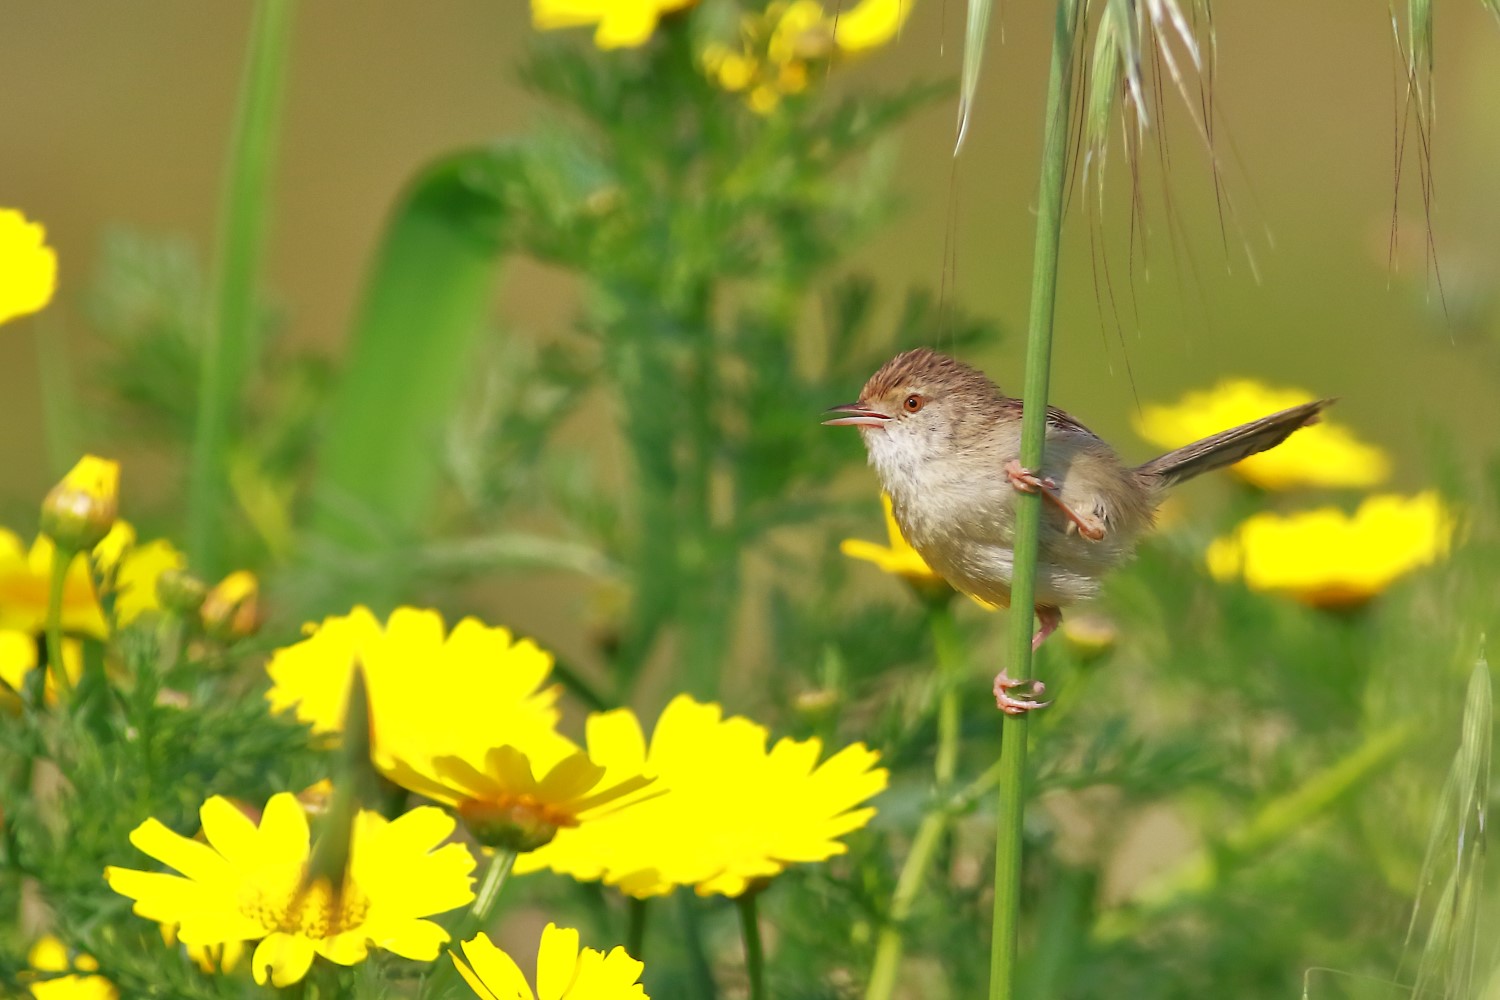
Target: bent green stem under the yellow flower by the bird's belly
x=892 y=941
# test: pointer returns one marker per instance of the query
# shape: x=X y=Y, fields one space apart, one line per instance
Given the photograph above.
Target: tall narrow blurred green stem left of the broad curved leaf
x=230 y=334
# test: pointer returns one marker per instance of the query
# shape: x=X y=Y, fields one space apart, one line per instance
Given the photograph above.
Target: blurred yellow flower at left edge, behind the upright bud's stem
x=25 y=575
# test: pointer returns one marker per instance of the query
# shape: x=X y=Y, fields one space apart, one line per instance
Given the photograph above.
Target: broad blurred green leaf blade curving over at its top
x=412 y=352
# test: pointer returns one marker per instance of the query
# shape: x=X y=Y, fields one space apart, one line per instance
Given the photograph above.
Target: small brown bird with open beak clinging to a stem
x=946 y=443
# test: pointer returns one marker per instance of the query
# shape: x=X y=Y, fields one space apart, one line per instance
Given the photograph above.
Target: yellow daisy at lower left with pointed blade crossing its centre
x=247 y=884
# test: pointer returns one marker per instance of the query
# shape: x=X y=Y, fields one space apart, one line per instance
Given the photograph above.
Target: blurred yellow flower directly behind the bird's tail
x=1321 y=455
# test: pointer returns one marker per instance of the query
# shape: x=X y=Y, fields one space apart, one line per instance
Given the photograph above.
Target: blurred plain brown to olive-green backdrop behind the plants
x=116 y=116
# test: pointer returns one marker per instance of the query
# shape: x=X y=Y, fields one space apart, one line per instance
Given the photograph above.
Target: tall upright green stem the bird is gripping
x=1034 y=424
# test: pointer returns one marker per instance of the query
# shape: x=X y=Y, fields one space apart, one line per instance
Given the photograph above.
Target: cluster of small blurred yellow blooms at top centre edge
x=778 y=46
